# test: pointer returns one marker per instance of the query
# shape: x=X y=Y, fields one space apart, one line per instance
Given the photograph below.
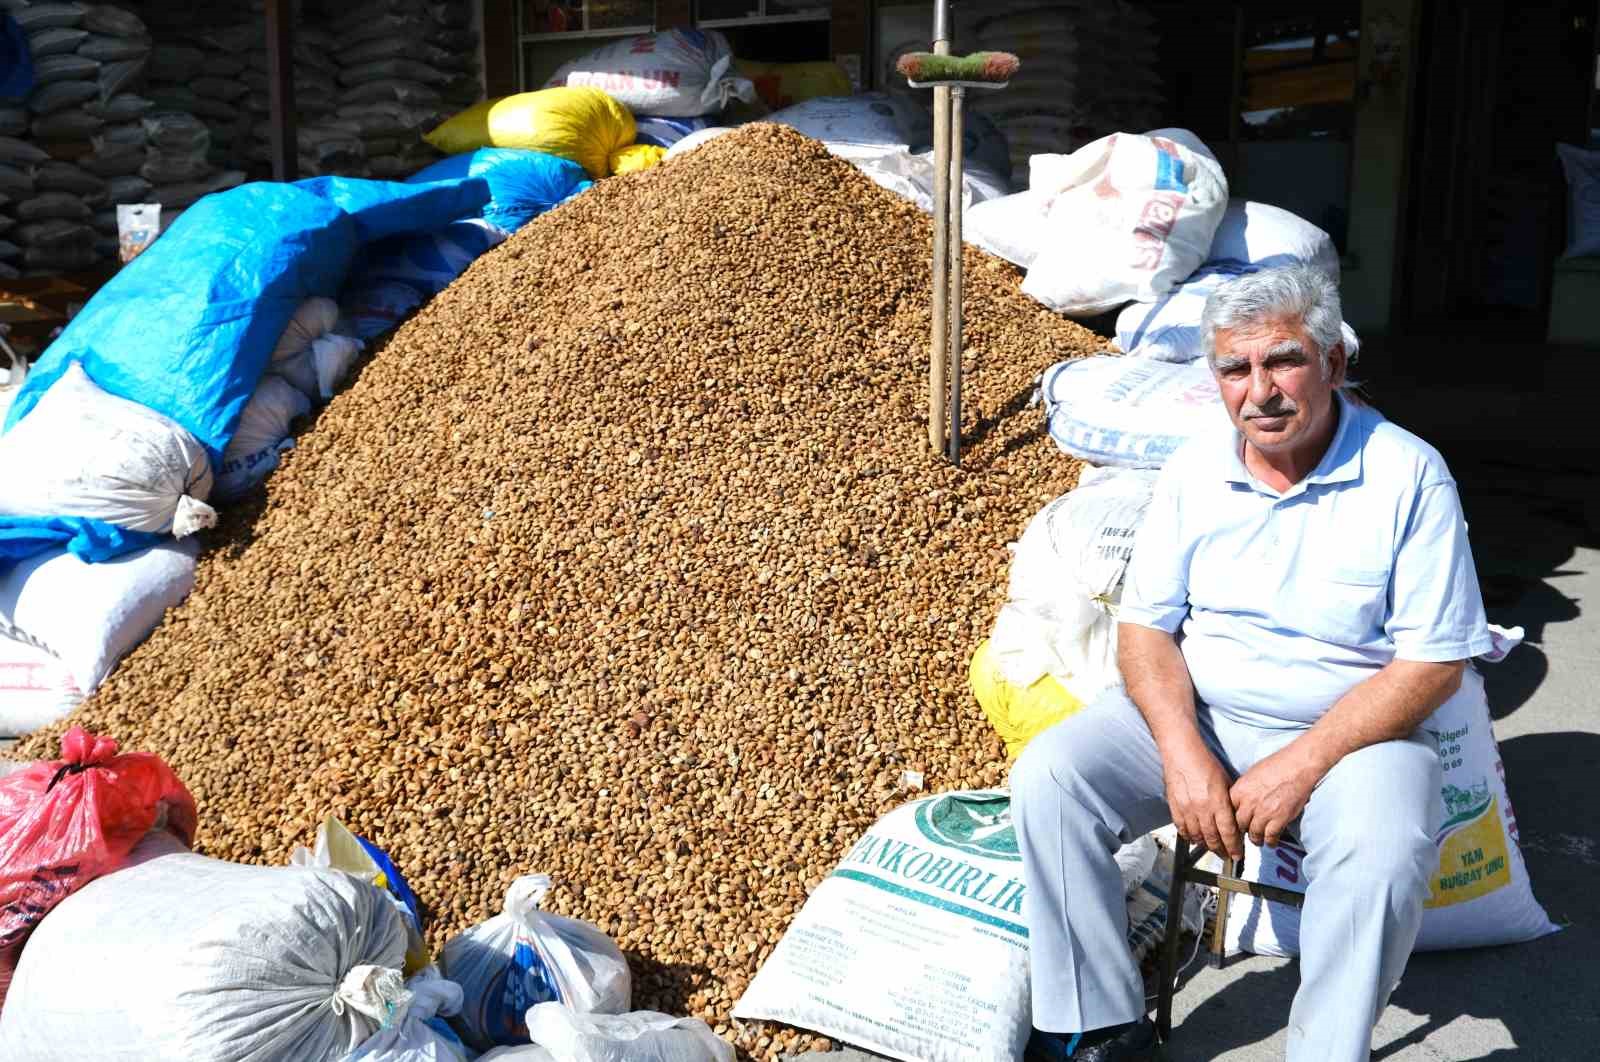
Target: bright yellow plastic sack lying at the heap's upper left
x=580 y=124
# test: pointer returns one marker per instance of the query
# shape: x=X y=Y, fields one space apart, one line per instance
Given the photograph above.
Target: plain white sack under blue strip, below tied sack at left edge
x=87 y=615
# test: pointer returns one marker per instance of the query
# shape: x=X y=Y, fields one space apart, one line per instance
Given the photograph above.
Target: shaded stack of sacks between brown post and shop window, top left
x=402 y=68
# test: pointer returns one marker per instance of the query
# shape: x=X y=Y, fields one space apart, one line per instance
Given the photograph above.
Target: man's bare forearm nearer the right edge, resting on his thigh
x=1388 y=706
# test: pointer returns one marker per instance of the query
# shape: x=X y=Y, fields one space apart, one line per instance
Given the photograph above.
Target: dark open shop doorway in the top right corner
x=1500 y=84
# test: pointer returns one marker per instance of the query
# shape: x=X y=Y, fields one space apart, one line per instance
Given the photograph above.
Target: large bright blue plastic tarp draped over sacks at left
x=188 y=327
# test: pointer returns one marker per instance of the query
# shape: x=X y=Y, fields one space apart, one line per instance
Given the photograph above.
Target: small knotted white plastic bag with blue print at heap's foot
x=524 y=957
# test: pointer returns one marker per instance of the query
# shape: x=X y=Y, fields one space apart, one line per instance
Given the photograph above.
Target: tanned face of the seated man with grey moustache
x=1273 y=385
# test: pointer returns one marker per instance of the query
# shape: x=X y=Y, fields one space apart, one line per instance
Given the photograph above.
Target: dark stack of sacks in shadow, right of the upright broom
x=1087 y=68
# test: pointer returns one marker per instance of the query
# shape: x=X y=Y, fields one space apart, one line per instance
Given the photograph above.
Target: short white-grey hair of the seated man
x=1303 y=293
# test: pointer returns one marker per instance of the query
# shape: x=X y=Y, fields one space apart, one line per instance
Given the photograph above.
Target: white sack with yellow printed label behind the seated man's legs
x=1481 y=893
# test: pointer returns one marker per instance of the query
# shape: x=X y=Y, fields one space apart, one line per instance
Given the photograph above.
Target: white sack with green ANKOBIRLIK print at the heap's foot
x=916 y=944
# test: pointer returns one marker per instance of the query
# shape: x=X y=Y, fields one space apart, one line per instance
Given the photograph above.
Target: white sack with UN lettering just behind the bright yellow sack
x=673 y=74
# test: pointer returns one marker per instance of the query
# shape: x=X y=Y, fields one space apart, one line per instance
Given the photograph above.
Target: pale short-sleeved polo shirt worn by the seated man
x=1289 y=601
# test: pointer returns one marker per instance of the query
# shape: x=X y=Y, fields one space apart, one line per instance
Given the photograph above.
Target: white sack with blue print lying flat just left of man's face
x=1129 y=412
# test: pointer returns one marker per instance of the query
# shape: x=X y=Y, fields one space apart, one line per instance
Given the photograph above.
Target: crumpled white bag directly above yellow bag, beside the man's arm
x=1066 y=580
